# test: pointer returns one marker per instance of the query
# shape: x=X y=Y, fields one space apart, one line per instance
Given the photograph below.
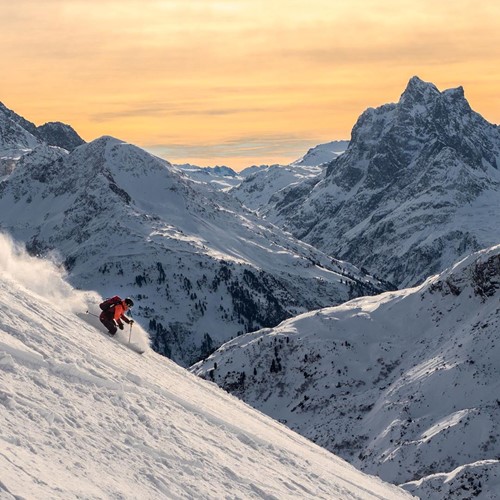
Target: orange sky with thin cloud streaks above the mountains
x=238 y=82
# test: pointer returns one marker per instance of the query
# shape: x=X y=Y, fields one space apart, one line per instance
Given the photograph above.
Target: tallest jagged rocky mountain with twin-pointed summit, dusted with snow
x=417 y=188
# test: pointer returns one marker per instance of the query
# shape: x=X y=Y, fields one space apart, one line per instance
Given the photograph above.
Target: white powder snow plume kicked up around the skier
x=45 y=278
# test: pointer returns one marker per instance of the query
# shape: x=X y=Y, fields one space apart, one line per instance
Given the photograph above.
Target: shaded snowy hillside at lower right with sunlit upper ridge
x=403 y=385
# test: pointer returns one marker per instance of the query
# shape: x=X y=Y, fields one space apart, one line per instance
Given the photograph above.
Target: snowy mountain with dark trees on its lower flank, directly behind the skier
x=201 y=267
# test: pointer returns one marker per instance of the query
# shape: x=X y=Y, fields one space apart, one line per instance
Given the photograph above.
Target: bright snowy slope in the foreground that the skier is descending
x=84 y=417
